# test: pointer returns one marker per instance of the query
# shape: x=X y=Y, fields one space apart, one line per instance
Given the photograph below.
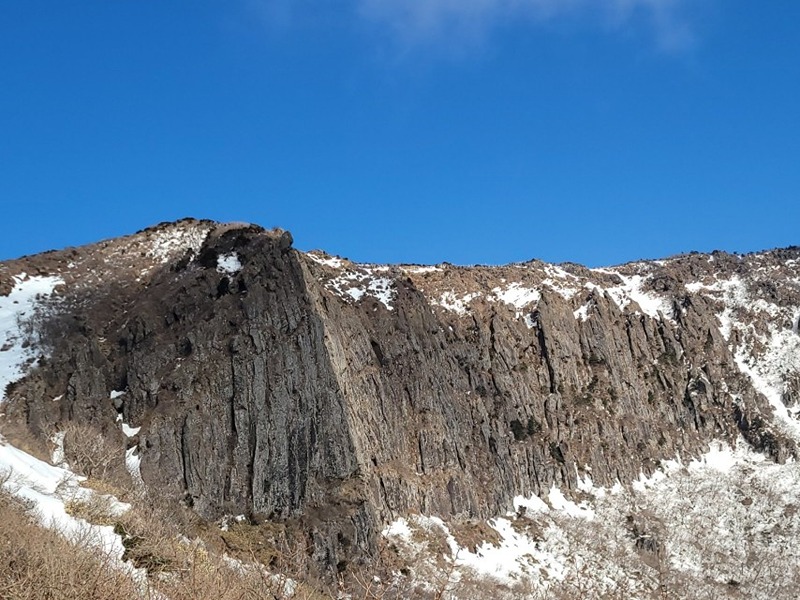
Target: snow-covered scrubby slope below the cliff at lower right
x=722 y=526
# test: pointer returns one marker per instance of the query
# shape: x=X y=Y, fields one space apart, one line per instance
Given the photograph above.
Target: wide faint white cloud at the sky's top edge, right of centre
x=417 y=22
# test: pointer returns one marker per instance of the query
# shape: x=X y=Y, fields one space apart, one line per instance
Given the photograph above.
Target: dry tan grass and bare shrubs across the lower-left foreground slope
x=249 y=561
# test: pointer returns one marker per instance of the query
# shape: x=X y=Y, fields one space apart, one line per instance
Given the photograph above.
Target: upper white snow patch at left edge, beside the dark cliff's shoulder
x=15 y=310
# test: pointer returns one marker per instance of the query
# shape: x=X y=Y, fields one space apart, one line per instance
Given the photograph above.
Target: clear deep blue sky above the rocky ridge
x=474 y=131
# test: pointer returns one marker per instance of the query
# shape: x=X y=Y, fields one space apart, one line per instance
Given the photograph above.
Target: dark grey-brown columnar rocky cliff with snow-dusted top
x=339 y=396
